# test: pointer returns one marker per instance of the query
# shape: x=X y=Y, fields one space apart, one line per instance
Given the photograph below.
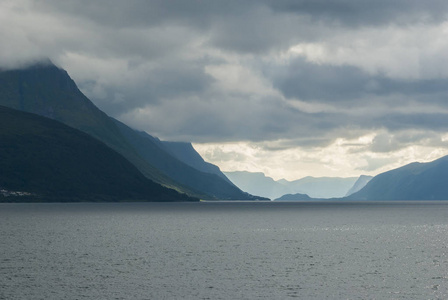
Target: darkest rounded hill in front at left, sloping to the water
x=42 y=160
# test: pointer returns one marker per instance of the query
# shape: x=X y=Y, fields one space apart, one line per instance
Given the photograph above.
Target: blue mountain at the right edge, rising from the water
x=415 y=181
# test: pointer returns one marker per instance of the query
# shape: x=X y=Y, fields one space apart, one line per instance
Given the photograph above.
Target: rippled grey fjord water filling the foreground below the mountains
x=231 y=250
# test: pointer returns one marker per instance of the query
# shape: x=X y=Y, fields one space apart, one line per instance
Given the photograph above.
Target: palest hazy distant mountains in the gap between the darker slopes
x=321 y=187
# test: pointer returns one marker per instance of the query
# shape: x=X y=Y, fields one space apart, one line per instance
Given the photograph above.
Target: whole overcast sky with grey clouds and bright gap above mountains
x=291 y=88
